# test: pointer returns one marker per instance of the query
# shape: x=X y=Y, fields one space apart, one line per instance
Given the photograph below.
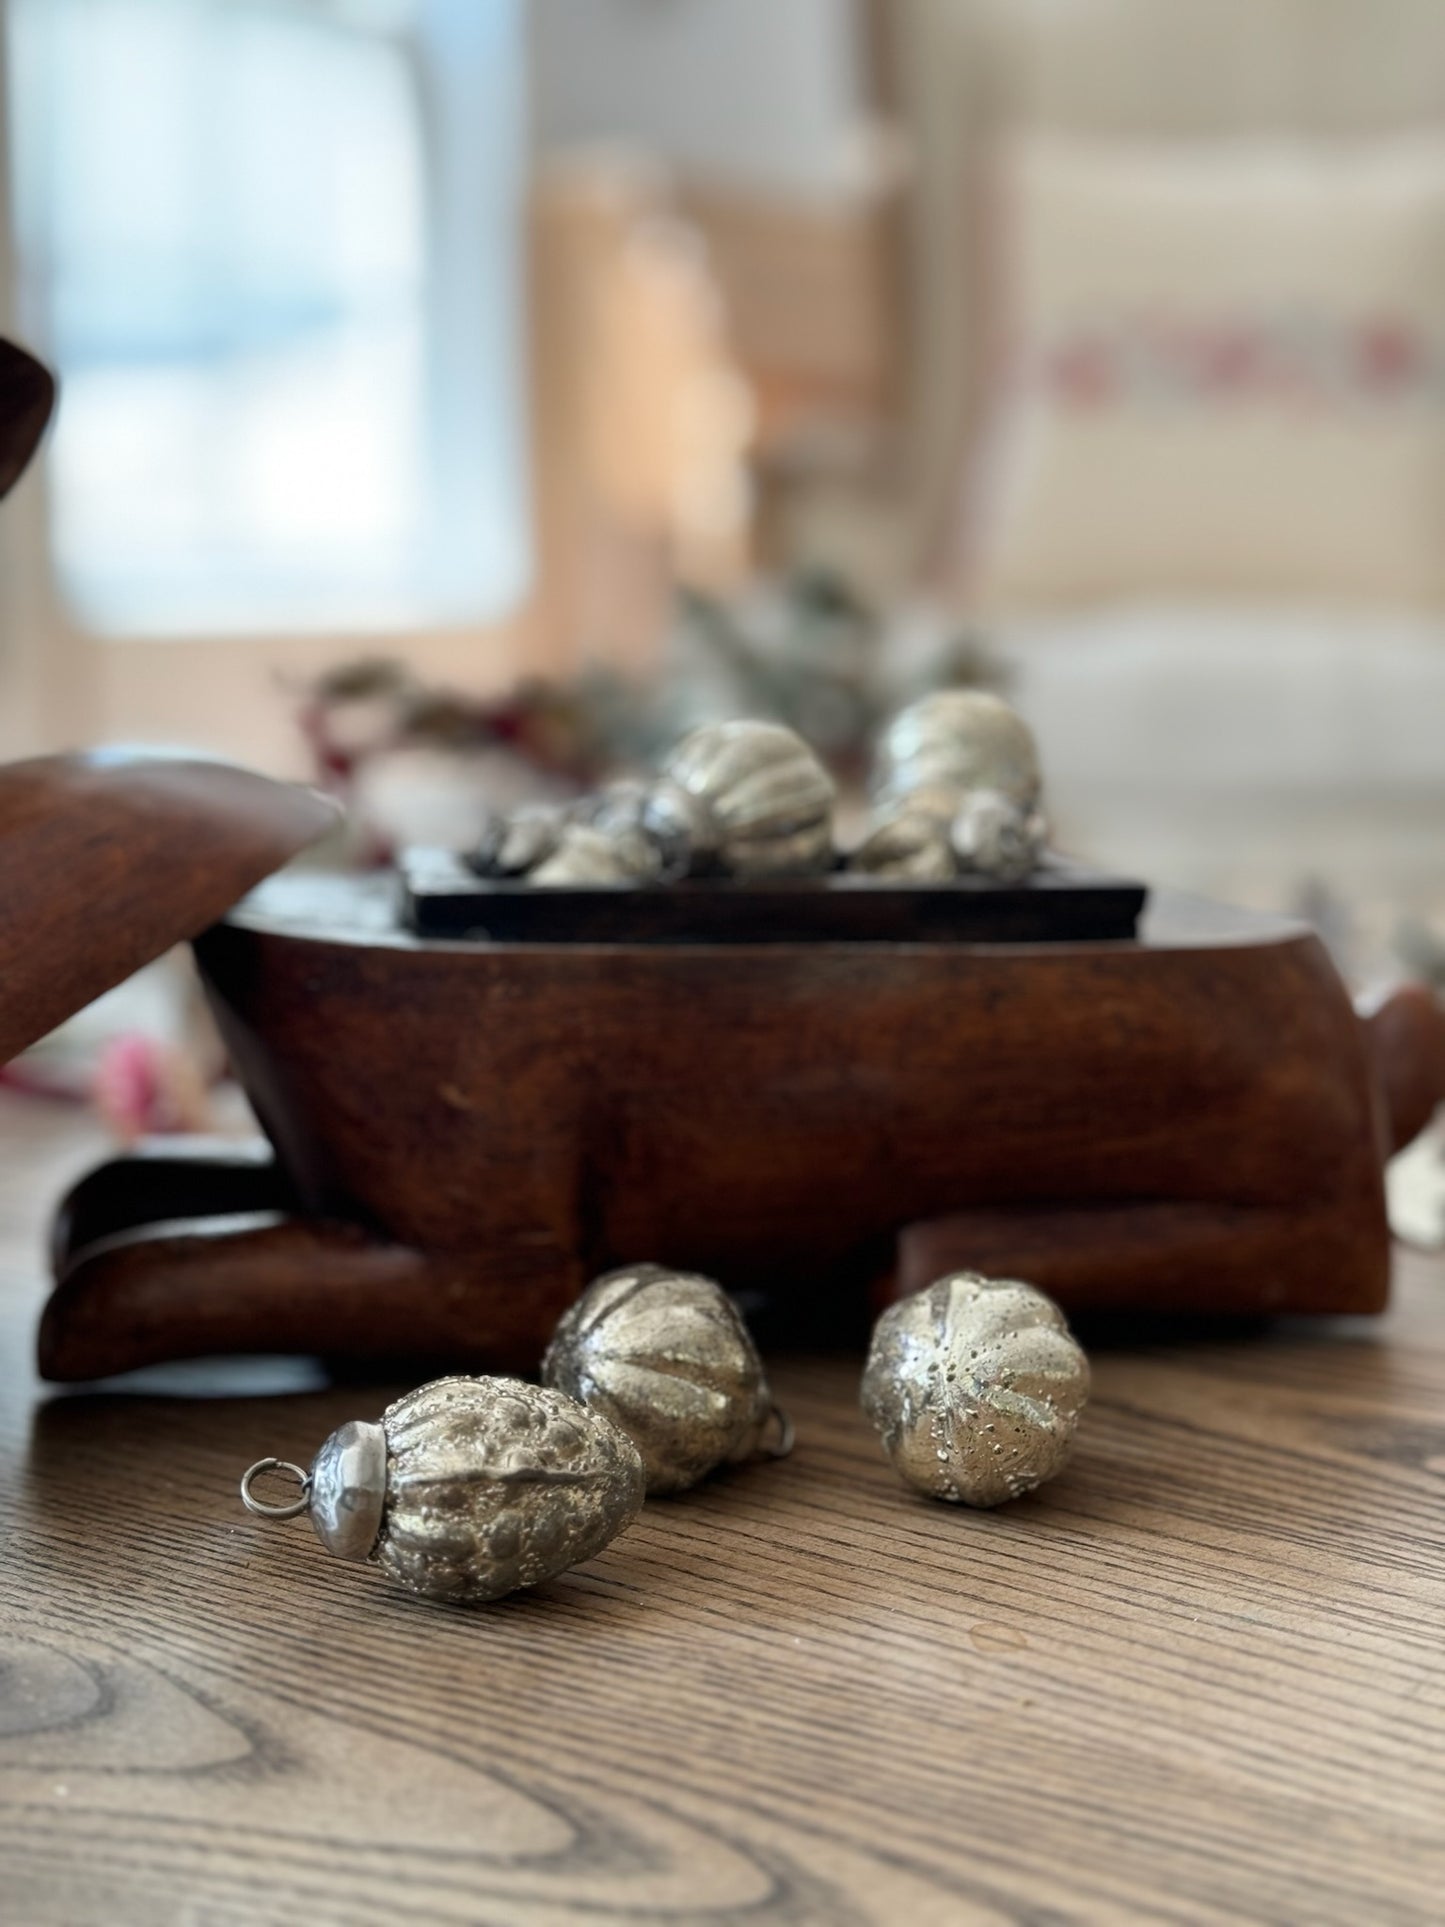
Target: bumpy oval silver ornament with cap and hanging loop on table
x=467 y=1489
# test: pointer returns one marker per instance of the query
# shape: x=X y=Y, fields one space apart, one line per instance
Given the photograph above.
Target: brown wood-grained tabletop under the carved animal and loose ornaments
x=1199 y=1679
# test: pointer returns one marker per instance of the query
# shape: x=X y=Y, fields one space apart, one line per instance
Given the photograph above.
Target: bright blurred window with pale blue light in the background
x=275 y=248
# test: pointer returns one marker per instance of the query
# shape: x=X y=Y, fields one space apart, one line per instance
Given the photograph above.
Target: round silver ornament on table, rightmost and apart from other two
x=976 y=1388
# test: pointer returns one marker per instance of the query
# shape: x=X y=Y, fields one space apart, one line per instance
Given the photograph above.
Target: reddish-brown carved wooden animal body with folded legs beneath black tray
x=465 y=1132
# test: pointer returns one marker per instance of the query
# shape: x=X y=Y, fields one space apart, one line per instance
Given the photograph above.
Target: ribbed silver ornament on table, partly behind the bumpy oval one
x=670 y=1359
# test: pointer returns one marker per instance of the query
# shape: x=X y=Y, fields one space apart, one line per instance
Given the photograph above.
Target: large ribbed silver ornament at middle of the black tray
x=749 y=801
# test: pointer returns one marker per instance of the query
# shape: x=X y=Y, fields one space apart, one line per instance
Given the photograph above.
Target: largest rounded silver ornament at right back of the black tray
x=953 y=743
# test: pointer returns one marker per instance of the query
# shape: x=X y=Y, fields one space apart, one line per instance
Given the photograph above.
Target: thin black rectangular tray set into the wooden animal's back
x=1063 y=903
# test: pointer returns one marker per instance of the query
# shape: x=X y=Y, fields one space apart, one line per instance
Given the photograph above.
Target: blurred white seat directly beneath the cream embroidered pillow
x=1253 y=754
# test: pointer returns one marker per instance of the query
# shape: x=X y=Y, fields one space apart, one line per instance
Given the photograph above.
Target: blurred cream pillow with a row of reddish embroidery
x=1226 y=373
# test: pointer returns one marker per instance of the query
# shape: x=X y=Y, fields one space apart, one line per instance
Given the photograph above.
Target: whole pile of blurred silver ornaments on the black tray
x=957 y=791
